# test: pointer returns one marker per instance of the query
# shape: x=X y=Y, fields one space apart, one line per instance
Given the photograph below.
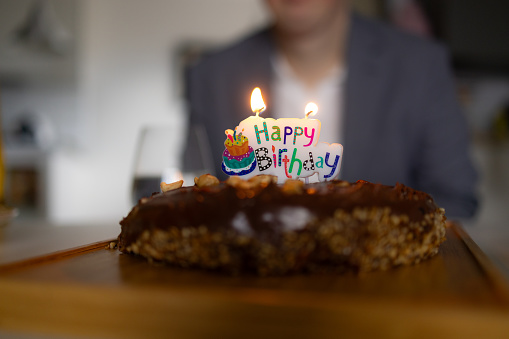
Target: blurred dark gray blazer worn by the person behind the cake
x=402 y=120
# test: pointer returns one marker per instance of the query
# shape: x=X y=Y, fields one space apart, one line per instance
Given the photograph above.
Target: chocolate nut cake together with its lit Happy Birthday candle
x=267 y=219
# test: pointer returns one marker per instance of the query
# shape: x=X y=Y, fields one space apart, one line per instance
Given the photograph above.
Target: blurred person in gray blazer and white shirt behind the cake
x=387 y=96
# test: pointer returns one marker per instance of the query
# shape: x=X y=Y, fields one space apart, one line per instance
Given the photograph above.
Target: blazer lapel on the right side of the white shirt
x=363 y=95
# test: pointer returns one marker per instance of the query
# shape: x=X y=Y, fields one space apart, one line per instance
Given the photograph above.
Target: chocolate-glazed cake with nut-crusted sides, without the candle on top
x=259 y=226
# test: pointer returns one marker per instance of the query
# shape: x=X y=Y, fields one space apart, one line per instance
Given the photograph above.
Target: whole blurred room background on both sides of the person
x=79 y=79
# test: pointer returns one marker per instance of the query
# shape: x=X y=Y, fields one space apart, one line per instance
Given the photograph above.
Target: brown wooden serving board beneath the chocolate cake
x=92 y=291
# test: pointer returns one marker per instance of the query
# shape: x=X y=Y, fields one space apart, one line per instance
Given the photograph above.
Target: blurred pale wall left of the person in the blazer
x=116 y=74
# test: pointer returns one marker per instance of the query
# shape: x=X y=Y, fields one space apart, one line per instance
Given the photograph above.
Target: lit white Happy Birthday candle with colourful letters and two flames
x=287 y=148
